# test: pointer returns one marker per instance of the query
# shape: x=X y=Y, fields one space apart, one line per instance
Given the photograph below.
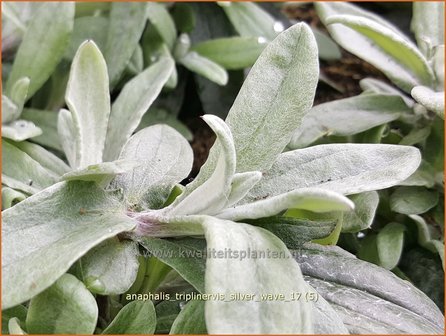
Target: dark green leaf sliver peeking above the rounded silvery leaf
x=161 y=116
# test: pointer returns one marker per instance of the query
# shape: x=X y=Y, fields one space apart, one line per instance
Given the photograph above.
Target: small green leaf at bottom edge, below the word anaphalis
x=137 y=317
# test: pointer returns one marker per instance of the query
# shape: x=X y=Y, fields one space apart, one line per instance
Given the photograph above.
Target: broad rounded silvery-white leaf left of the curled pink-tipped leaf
x=165 y=158
